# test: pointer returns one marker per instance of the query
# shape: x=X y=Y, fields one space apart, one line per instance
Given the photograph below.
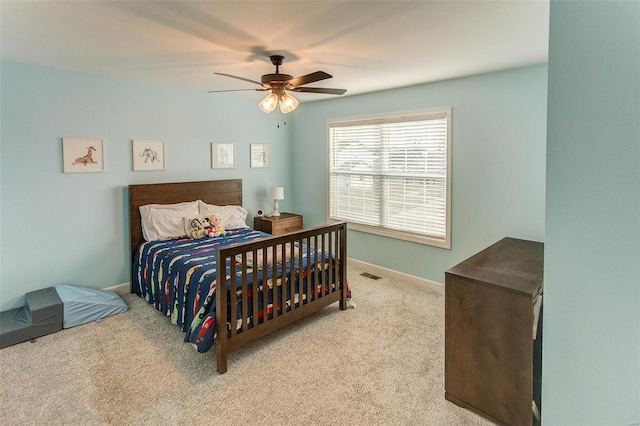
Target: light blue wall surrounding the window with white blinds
x=498 y=164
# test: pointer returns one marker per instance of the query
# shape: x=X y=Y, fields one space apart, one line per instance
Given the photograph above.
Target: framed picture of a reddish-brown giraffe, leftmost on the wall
x=82 y=155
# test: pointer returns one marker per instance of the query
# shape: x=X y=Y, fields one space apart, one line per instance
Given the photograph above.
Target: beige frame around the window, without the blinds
x=397 y=117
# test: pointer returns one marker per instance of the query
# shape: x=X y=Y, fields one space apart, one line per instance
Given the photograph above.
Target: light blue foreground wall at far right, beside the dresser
x=591 y=358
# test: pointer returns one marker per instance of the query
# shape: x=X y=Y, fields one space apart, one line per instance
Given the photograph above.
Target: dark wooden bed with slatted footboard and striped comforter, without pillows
x=277 y=280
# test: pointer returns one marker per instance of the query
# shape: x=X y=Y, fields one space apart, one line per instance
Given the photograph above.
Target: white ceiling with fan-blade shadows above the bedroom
x=366 y=45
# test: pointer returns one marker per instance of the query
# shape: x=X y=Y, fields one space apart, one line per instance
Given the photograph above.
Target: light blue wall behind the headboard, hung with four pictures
x=73 y=228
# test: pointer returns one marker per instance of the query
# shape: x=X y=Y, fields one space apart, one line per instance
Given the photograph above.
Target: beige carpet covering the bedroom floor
x=381 y=363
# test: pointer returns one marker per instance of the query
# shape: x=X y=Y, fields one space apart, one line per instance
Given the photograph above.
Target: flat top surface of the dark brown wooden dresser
x=511 y=264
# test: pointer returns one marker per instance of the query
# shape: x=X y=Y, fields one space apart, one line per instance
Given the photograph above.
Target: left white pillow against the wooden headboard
x=165 y=221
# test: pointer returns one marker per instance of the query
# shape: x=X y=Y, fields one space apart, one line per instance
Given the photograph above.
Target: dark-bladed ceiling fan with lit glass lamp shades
x=280 y=83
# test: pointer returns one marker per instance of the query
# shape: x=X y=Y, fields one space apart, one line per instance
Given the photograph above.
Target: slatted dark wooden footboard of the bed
x=308 y=270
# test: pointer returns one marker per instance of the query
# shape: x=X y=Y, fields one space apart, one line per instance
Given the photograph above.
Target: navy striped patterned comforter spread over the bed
x=178 y=277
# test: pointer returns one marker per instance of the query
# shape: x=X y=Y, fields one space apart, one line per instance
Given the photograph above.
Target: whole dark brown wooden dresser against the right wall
x=493 y=332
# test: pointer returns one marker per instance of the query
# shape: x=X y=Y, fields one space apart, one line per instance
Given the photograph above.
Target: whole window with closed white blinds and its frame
x=389 y=175
